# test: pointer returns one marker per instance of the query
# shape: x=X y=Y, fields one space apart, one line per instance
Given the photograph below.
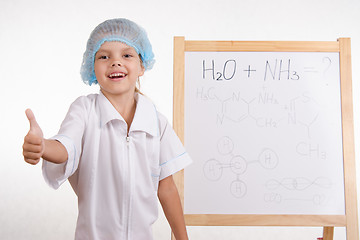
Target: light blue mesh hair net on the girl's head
x=122 y=30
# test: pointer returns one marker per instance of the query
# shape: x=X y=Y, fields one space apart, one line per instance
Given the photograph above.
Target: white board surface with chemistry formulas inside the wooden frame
x=264 y=131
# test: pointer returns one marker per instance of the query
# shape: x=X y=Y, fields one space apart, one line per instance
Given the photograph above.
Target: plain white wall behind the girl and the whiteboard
x=41 y=47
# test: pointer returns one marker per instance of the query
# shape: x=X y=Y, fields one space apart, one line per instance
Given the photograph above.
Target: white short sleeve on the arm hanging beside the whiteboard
x=173 y=156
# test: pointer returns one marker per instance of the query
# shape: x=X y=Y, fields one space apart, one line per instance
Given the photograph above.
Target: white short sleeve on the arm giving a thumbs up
x=70 y=135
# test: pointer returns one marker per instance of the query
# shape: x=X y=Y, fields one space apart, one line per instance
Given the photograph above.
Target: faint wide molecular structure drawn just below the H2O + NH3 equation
x=265 y=109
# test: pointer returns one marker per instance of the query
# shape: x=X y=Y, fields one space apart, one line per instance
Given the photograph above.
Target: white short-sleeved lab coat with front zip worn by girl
x=115 y=175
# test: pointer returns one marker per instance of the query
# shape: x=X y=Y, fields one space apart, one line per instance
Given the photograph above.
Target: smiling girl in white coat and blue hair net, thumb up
x=117 y=151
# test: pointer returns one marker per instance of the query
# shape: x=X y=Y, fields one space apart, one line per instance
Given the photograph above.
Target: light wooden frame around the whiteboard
x=342 y=46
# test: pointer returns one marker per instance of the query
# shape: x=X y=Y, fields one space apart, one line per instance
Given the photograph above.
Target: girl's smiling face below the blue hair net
x=117 y=67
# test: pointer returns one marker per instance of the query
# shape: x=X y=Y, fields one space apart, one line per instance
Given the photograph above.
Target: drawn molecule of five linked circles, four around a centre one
x=214 y=169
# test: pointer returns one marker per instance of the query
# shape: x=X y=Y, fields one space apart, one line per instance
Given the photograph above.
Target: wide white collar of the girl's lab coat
x=145 y=118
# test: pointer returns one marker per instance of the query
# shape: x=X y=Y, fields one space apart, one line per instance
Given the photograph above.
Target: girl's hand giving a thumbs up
x=34 y=145
